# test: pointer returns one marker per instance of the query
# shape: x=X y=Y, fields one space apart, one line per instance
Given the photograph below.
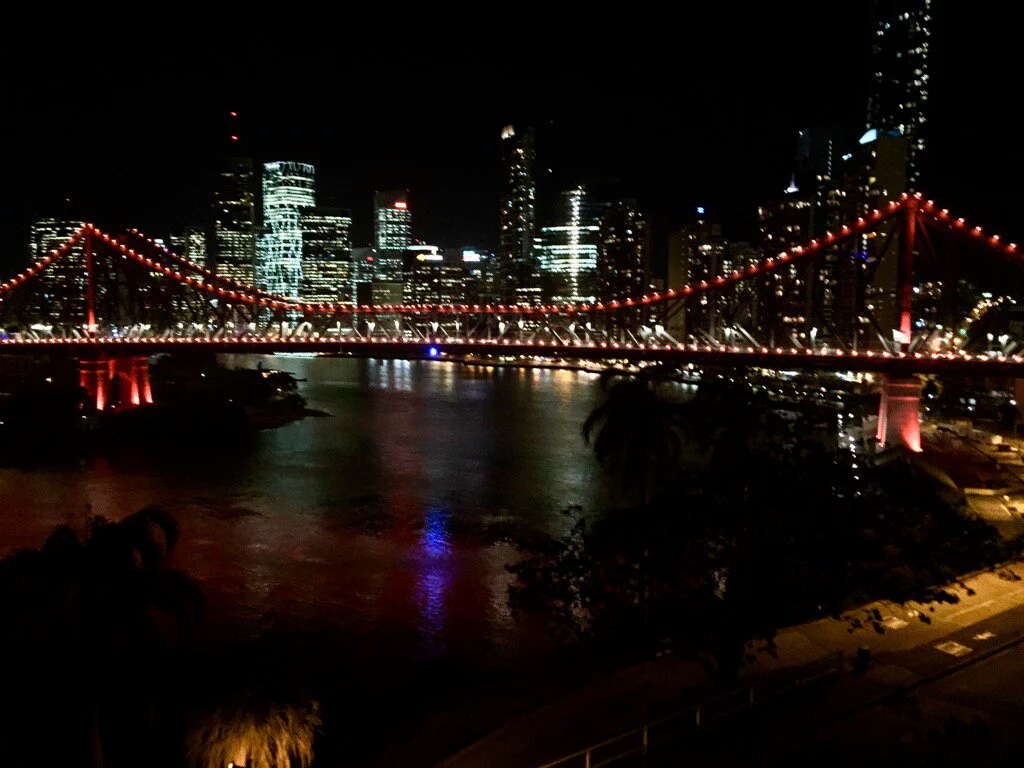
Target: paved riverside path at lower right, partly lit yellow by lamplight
x=907 y=643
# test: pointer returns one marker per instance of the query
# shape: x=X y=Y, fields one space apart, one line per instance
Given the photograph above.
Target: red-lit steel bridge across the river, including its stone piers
x=112 y=301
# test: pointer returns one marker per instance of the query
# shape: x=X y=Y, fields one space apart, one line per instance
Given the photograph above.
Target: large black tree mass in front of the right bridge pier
x=760 y=524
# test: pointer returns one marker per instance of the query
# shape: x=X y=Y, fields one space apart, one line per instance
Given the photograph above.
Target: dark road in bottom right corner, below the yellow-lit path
x=958 y=702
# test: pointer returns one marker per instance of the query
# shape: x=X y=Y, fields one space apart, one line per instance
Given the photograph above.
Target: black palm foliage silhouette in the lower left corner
x=92 y=630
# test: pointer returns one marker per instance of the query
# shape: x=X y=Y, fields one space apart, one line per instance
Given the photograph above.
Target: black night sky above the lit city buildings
x=698 y=109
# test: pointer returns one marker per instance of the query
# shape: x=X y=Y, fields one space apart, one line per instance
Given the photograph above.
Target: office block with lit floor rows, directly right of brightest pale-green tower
x=327 y=255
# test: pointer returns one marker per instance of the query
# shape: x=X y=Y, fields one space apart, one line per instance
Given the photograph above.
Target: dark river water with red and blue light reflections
x=367 y=522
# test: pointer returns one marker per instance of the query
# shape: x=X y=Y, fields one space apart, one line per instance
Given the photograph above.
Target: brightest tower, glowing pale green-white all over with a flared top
x=288 y=189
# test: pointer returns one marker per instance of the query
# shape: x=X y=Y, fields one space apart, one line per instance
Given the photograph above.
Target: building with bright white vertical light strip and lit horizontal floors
x=568 y=252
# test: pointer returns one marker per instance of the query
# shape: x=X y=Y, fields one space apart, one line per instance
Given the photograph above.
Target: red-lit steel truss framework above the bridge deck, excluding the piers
x=127 y=286
